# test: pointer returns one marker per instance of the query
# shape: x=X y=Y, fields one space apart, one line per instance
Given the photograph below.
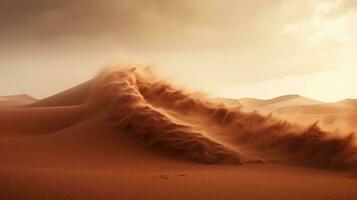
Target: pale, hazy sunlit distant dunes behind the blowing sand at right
x=340 y=116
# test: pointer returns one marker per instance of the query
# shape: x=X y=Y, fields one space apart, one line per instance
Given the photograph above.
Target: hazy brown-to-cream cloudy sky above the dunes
x=231 y=48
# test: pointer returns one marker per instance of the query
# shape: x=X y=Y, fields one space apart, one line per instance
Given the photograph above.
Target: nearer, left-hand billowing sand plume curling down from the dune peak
x=119 y=93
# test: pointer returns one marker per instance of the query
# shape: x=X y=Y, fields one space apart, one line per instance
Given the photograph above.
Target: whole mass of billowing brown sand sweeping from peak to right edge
x=160 y=114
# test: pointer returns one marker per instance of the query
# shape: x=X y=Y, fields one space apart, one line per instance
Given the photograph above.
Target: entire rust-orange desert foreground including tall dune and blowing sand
x=127 y=134
